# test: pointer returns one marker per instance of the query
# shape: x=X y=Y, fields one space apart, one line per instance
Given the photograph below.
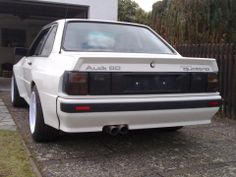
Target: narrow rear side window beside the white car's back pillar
x=47 y=48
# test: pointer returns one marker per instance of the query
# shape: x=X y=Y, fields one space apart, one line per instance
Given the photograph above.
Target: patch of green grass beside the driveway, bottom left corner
x=14 y=161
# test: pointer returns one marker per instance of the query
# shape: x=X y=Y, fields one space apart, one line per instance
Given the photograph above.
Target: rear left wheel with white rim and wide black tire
x=39 y=130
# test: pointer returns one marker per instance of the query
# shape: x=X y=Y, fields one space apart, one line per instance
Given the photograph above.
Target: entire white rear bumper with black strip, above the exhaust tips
x=136 y=112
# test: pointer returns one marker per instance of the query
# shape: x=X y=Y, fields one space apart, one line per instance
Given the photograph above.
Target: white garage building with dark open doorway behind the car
x=20 y=20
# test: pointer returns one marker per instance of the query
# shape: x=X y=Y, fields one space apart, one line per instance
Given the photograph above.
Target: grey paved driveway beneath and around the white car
x=206 y=150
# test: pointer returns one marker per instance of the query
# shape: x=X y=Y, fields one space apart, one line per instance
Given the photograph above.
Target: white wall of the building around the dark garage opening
x=98 y=9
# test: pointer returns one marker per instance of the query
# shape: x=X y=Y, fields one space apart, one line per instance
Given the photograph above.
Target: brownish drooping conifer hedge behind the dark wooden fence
x=195 y=21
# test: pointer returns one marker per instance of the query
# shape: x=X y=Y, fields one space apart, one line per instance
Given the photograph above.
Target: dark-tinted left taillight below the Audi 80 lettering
x=75 y=83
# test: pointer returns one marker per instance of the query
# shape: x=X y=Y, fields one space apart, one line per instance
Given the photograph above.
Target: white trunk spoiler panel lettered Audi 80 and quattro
x=144 y=63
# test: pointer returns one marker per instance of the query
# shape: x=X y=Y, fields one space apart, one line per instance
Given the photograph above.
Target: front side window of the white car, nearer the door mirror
x=38 y=42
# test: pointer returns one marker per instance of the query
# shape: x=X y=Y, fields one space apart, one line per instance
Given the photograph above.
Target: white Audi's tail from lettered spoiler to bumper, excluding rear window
x=166 y=95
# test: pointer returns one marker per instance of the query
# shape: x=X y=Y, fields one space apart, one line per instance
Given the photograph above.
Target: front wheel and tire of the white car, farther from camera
x=16 y=100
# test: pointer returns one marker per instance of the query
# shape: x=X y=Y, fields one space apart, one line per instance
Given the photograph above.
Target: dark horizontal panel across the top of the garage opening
x=26 y=9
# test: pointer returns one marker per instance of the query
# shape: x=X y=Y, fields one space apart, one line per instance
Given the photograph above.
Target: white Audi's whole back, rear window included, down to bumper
x=126 y=74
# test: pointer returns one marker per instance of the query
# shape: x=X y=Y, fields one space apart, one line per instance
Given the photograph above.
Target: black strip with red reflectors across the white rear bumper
x=136 y=106
